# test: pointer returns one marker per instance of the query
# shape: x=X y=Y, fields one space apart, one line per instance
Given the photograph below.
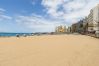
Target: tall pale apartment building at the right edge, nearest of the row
x=93 y=19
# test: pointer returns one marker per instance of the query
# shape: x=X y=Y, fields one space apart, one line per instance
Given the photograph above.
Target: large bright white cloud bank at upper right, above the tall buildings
x=69 y=9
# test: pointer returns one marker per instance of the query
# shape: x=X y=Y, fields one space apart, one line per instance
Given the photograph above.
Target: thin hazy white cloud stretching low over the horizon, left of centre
x=37 y=23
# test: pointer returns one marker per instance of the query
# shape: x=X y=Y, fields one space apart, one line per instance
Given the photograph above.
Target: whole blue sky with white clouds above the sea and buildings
x=41 y=15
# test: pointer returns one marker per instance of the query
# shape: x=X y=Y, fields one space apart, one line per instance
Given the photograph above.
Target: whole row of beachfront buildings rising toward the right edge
x=89 y=24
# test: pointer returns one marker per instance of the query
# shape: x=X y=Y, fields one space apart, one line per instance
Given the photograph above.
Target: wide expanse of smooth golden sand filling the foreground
x=51 y=50
